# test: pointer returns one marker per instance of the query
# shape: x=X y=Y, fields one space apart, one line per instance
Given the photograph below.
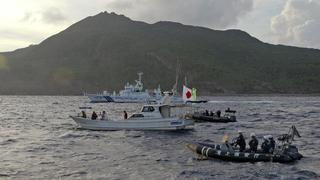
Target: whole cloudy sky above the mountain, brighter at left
x=289 y=22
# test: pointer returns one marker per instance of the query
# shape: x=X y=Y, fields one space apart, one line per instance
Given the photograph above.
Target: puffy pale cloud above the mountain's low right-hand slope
x=298 y=24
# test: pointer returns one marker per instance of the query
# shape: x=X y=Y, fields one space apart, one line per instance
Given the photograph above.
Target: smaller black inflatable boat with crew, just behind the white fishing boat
x=229 y=116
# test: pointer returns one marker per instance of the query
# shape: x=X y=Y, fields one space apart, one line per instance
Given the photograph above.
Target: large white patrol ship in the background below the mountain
x=130 y=94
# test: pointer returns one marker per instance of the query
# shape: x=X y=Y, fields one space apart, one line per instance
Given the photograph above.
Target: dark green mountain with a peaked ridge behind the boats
x=105 y=51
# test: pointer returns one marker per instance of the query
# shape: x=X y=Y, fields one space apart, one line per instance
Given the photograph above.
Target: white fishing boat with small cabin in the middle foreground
x=151 y=117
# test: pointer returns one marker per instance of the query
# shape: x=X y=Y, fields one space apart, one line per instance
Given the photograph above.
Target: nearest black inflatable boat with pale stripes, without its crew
x=288 y=153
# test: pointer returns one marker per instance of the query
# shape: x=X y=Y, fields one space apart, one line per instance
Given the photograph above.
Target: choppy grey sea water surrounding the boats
x=38 y=140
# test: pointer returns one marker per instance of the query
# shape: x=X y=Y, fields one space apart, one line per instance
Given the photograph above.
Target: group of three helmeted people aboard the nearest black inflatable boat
x=267 y=146
